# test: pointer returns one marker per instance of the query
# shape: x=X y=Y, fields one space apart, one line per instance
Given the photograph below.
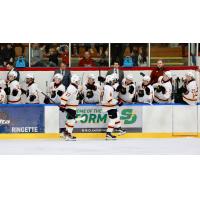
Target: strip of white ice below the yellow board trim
x=128 y=146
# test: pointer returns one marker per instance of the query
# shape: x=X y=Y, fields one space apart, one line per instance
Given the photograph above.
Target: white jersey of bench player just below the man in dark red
x=159 y=97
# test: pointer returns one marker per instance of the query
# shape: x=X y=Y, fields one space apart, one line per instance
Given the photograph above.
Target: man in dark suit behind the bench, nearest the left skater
x=66 y=74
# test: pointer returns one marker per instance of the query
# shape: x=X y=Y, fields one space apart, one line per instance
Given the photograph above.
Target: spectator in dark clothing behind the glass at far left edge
x=8 y=54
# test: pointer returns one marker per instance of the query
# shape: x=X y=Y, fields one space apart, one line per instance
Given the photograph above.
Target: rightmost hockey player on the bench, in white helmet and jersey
x=190 y=90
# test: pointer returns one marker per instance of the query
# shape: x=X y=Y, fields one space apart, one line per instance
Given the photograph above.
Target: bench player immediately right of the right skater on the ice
x=127 y=89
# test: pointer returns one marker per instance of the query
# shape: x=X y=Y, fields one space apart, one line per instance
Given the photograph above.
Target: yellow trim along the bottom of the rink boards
x=96 y=135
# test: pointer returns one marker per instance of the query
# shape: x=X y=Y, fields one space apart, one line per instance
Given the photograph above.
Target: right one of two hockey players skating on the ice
x=109 y=104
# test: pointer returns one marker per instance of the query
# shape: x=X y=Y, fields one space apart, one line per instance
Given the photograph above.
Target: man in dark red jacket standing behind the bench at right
x=157 y=72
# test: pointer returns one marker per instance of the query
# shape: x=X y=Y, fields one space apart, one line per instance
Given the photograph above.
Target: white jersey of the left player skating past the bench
x=70 y=98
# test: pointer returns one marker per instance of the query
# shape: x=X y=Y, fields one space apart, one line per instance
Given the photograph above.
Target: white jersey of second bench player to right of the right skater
x=147 y=98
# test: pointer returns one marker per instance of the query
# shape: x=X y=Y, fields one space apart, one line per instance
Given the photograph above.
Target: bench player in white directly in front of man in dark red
x=163 y=88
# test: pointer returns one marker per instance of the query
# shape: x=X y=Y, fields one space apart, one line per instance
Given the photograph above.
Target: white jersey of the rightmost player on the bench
x=190 y=97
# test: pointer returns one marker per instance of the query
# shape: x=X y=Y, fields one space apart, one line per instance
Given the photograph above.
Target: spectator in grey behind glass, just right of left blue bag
x=36 y=55
